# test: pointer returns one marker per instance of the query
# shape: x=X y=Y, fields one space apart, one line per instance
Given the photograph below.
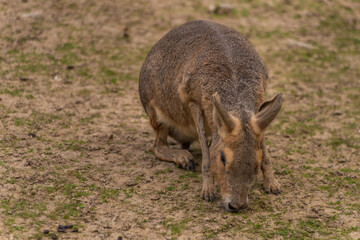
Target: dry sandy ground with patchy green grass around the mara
x=76 y=146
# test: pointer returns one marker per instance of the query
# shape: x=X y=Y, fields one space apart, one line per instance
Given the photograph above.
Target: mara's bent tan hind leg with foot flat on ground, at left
x=181 y=158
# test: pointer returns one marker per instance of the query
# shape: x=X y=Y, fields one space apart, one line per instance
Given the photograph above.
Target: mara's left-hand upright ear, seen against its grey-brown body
x=223 y=119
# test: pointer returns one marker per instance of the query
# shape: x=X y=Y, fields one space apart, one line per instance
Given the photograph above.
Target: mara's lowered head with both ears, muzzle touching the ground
x=237 y=156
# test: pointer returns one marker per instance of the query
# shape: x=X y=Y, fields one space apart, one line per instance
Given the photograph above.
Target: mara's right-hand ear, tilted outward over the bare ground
x=268 y=111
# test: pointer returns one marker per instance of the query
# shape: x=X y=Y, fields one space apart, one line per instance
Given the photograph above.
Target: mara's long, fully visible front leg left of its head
x=209 y=190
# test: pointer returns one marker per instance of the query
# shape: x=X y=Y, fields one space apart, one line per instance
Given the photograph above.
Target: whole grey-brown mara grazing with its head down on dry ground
x=203 y=79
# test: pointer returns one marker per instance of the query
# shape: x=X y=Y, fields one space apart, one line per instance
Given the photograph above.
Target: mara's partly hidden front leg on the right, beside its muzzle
x=270 y=183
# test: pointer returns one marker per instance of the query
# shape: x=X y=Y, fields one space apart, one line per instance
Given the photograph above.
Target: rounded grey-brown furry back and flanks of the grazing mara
x=205 y=58
